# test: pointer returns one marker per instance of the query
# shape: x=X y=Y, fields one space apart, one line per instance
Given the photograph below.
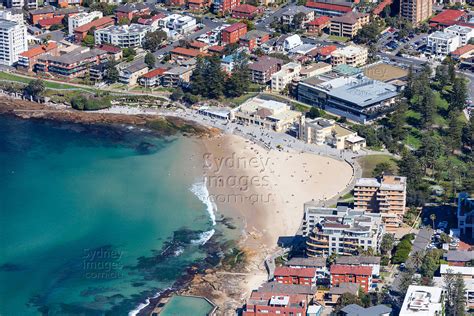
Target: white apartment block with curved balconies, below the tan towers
x=340 y=230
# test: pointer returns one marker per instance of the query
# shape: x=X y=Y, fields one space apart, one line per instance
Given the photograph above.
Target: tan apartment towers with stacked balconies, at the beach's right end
x=385 y=195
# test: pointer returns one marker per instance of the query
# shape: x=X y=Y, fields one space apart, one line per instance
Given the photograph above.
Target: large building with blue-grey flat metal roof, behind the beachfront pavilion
x=356 y=97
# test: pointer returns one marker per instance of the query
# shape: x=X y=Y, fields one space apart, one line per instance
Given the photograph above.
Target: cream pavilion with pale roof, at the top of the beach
x=267 y=113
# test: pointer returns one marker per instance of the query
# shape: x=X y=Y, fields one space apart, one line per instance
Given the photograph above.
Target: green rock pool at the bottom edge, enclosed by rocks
x=186 y=305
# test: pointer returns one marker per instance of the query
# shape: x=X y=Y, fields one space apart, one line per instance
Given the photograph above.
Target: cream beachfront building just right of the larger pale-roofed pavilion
x=321 y=131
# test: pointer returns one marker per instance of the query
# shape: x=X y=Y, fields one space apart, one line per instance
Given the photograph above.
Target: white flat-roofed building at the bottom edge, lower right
x=422 y=301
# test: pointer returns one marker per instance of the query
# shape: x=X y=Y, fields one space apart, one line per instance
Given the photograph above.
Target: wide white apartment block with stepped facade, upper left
x=132 y=35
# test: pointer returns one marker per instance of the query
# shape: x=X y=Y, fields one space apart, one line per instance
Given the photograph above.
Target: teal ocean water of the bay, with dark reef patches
x=95 y=220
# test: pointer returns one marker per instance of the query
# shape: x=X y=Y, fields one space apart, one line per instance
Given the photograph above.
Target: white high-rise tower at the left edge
x=13 y=41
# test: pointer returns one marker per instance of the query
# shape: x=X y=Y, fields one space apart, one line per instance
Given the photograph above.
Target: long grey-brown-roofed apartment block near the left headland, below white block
x=72 y=64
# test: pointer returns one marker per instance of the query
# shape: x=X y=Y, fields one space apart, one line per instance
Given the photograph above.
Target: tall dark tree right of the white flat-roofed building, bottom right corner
x=455 y=294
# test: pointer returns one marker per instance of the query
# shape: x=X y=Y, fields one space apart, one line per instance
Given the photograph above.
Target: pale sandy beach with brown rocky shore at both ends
x=267 y=202
